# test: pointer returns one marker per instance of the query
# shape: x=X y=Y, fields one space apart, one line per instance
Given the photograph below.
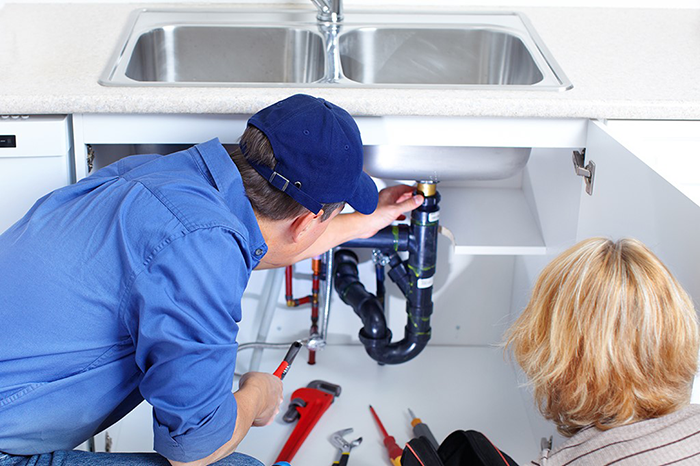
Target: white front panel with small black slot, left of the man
x=35 y=158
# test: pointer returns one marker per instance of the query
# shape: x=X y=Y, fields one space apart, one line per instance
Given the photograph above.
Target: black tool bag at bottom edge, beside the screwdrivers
x=460 y=448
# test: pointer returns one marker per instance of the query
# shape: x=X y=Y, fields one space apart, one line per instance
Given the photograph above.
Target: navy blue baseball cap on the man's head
x=319 y=154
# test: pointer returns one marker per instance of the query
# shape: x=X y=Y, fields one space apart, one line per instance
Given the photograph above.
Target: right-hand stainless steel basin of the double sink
x=475 y=56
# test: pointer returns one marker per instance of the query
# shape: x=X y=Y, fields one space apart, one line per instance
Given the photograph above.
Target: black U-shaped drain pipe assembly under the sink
x=413 y=277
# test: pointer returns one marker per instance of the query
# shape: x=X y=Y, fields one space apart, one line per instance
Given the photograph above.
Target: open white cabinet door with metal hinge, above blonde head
x=630 y=199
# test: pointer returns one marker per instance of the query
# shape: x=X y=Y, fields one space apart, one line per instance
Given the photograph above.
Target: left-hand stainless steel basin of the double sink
x=226 y=54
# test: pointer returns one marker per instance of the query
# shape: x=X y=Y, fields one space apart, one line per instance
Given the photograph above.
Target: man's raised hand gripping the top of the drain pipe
x=394 y=201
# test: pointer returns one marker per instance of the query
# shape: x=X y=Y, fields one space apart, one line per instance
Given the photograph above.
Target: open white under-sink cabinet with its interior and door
x=505 y=232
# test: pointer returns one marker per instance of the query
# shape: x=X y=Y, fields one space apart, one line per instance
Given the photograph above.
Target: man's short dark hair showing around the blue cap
x=268 y=201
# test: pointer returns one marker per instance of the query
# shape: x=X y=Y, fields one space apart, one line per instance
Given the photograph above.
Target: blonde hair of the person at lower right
x=608 y=338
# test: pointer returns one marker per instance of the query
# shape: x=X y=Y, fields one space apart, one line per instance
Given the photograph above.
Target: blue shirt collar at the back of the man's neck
x=227 y=180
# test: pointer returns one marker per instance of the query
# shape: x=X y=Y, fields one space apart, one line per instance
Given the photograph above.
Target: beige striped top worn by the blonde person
x=673 y=439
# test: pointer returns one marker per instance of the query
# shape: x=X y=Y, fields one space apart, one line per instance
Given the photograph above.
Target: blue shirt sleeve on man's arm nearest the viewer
x=183 y=315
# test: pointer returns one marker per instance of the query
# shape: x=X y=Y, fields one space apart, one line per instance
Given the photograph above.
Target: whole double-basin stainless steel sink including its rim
x=287 y=48
